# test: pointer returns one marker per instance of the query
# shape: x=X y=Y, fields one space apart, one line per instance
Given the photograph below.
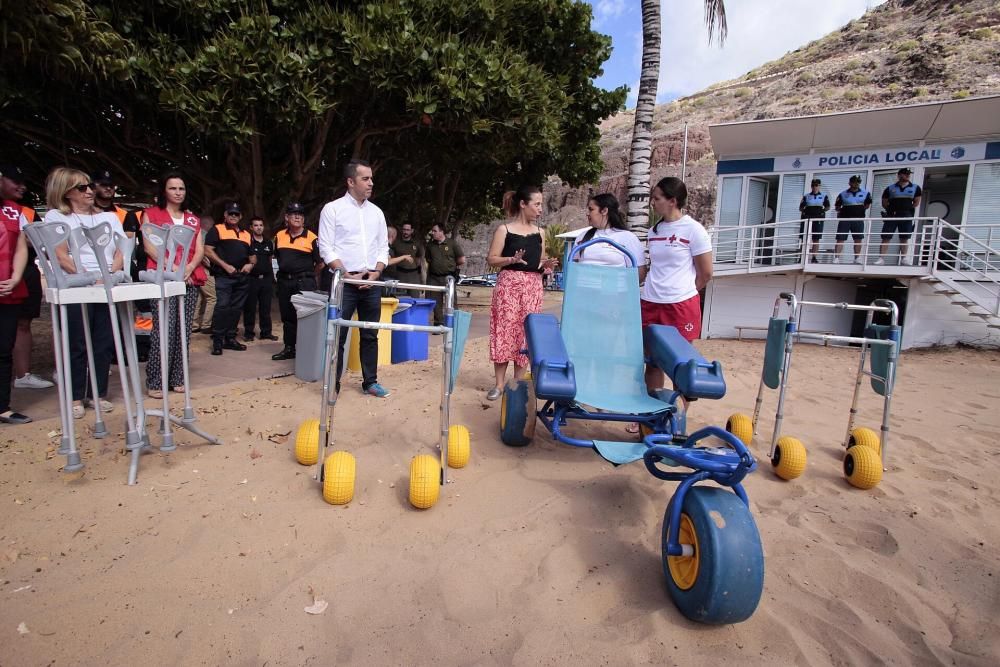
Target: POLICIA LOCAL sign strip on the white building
x=891 y=158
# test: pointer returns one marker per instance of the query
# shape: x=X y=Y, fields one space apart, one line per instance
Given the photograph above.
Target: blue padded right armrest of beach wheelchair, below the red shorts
x=693 y=376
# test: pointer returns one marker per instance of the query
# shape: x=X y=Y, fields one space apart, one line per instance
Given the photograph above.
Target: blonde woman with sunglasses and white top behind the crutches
x=69 y=194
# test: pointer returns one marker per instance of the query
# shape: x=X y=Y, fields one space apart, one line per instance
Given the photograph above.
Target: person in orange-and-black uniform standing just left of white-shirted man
x=298 y=257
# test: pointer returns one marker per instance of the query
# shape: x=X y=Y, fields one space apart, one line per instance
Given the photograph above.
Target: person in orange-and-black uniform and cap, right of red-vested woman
x=228 y=248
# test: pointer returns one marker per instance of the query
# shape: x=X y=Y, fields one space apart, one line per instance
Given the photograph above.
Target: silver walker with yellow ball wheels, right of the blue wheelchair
x=865 y=449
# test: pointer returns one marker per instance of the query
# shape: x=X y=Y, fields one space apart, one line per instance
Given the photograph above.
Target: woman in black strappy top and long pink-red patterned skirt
x=519 y=253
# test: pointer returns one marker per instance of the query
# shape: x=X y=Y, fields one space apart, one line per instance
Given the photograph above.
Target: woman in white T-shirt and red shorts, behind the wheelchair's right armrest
x=680 y=265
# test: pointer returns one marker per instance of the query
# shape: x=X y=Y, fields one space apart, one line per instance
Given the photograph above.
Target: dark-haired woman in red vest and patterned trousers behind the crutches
x=172 y=209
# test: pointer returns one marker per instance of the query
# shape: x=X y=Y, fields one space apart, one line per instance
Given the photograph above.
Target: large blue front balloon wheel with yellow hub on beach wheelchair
x=723 y=581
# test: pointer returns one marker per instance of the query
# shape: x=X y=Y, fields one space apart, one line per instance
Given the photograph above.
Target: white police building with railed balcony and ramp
x=945 y=280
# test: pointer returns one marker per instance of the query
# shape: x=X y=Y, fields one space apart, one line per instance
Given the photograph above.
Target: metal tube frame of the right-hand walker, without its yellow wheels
x=792 y=334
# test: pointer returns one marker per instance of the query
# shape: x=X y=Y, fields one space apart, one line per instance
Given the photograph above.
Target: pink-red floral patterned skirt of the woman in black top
x=517 y=295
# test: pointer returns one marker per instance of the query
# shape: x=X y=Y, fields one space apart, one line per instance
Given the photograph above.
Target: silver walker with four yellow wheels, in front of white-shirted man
x=336 y=472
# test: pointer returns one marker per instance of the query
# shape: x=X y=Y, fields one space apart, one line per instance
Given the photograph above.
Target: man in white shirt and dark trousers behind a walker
x=353 y=238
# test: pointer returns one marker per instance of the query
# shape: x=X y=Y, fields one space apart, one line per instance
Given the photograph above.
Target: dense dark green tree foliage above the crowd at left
x=266 y=101
